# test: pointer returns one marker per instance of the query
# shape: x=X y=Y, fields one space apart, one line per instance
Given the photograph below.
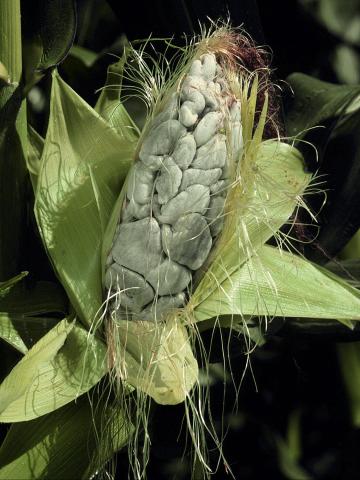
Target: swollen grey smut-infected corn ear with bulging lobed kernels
x=175 y=195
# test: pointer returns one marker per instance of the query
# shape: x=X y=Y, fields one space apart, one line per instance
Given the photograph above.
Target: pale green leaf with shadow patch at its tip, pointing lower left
x=52 y=373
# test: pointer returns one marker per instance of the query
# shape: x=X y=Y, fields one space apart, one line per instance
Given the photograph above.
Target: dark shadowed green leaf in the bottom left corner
x=61 y=444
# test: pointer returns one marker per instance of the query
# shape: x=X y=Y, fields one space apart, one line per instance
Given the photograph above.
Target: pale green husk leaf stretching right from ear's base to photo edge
x=276 y=283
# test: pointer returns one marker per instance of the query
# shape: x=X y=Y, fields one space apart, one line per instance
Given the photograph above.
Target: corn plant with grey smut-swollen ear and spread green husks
x=154 y=236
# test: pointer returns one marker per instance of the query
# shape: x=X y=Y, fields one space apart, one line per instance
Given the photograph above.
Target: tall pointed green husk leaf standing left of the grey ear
x=84 y=163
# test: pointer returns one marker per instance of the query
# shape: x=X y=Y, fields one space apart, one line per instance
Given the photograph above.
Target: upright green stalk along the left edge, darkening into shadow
x=13 y=134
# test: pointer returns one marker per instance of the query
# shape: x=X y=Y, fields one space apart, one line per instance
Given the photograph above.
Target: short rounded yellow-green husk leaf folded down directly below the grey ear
x=157 y=359
